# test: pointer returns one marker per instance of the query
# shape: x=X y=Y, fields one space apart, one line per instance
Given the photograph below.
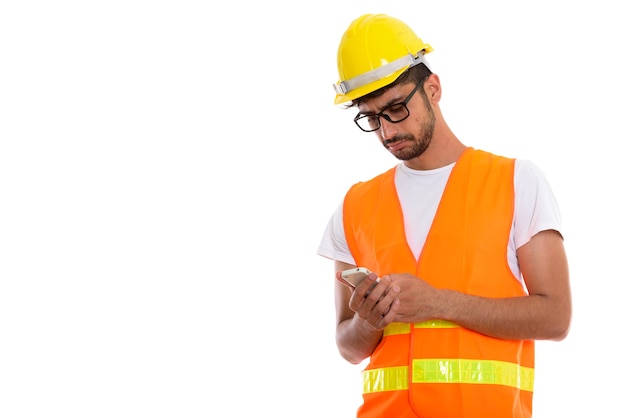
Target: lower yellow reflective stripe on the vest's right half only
x=473 y=371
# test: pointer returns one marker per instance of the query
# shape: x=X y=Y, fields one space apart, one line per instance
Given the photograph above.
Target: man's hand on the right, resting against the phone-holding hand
x=418 y=299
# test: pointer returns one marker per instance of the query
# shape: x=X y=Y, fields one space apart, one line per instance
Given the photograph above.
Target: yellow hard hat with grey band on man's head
x=373 y=52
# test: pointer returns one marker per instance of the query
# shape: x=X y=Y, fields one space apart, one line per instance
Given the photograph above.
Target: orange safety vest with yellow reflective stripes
x=437 y=368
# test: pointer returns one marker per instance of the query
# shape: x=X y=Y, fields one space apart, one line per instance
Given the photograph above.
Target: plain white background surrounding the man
x=167 y=169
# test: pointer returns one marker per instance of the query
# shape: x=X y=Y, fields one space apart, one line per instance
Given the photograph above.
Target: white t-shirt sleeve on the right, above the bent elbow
x=536 y=206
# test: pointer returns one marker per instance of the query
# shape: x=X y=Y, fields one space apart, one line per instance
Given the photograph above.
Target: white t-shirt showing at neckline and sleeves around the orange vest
x=420 y=191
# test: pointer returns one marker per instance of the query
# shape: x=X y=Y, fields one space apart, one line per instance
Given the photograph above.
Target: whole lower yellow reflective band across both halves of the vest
x=450 y=371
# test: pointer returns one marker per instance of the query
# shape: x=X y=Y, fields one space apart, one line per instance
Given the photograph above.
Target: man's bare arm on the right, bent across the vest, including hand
x=544 y=314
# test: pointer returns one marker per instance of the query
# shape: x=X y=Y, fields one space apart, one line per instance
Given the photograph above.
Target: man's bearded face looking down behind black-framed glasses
x=409 y=138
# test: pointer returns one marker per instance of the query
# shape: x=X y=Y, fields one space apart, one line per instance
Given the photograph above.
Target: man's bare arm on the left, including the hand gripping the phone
x=362 y=314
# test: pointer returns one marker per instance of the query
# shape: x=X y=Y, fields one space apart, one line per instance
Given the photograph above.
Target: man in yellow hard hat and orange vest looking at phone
x=465 y=248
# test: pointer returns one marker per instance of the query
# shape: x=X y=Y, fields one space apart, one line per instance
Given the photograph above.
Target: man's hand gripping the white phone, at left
x=376 y=302
